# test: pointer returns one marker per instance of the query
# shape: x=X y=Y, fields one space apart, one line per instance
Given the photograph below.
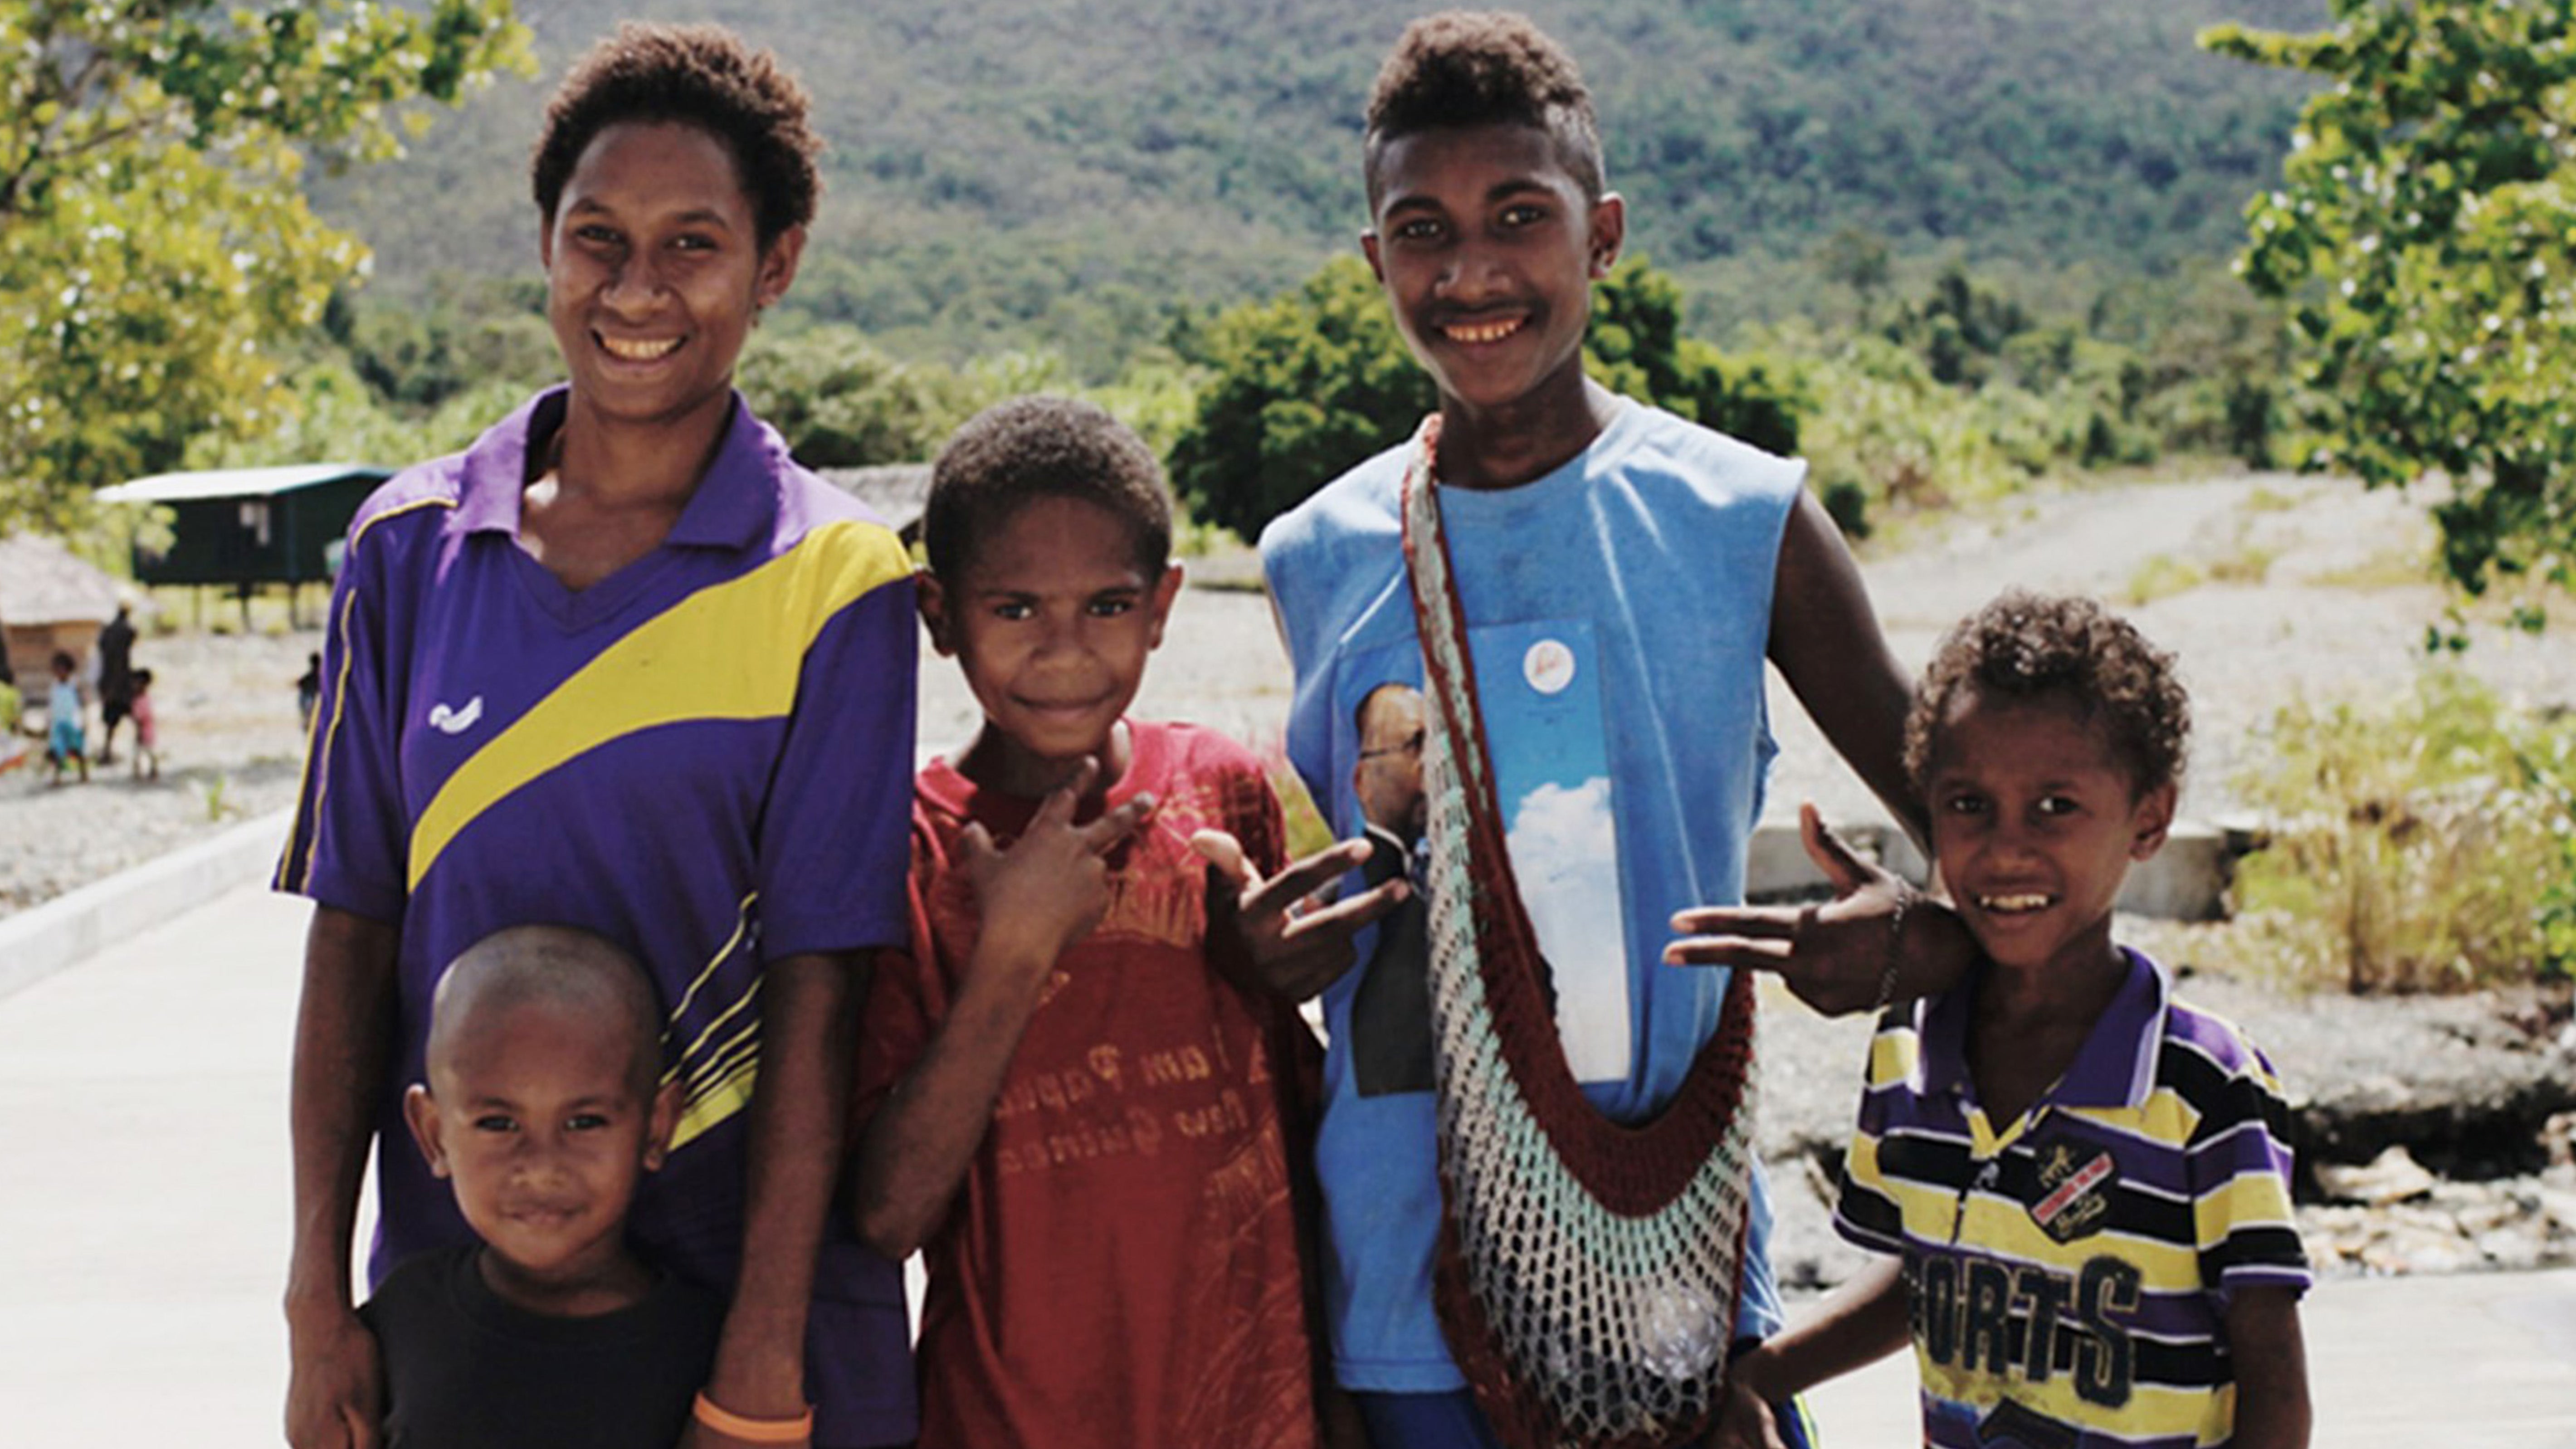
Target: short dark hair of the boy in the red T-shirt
x=1042 y=447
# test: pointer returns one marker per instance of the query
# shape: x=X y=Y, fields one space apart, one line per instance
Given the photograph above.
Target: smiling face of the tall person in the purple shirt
x=653 y=277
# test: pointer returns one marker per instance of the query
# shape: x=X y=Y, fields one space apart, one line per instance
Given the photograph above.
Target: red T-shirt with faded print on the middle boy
x=1122 y=1262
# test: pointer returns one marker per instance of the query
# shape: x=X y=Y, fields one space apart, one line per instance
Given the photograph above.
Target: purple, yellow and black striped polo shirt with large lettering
x=2070 y=1272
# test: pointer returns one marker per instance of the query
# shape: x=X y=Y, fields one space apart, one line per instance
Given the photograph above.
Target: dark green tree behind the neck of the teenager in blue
x=1315 y=380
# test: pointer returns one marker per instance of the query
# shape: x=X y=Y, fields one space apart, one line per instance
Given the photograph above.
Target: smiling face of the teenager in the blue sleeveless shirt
x=1488 y=249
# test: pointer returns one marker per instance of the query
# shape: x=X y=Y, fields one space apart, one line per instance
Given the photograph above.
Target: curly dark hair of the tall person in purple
x=702 y=76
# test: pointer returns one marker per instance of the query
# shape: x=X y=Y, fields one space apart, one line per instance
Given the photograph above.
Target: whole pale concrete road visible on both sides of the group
x=143 y=1234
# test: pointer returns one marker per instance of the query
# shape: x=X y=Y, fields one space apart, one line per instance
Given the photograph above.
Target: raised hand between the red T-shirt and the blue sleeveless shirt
x=1292 y=945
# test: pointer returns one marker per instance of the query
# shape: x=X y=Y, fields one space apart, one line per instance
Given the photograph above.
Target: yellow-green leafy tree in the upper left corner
x=153 y=236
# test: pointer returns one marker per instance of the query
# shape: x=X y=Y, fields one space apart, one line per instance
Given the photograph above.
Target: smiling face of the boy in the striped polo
x=2036 y=824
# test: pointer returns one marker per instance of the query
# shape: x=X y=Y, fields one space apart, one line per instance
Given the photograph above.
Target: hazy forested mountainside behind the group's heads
x=1068 y=171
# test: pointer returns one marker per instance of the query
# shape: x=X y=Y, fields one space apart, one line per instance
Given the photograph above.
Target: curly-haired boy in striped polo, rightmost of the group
x=2080 y=1182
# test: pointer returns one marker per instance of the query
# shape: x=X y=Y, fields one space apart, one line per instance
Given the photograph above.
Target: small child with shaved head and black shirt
x=545 y=1107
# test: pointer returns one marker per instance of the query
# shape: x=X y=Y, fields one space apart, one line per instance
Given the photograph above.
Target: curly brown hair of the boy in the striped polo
x=2031 y=646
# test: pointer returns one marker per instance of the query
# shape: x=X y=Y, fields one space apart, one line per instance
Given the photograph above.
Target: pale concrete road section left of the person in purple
x=143 y=1229
